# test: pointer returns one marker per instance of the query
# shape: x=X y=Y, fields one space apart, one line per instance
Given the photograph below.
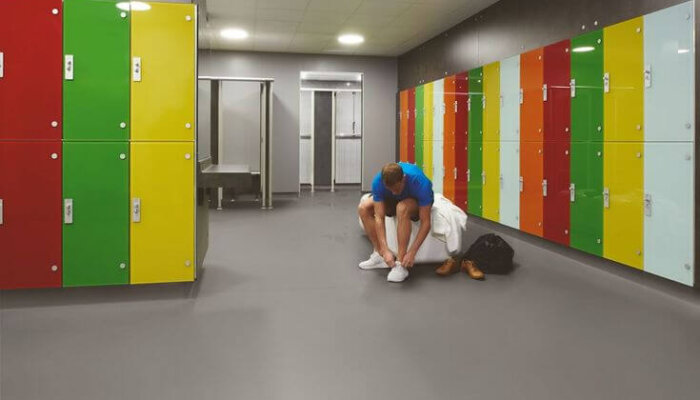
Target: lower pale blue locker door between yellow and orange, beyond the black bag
x=510 y=183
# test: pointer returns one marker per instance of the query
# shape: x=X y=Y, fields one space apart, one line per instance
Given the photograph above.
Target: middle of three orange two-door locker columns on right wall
x=449 y=139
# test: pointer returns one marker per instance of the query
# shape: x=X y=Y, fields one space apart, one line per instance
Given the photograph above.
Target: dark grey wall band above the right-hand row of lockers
x=511 y=27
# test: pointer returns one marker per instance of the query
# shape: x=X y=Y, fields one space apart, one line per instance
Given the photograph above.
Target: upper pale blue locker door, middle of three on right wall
x=510 y=99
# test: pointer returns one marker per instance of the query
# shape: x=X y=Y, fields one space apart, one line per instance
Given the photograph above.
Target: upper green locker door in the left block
x=96 y=71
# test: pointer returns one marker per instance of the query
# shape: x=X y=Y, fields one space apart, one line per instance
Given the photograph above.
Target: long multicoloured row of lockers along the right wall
x=599 y=168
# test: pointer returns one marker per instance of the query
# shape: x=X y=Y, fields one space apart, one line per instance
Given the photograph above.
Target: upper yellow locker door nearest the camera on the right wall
x=623 y=81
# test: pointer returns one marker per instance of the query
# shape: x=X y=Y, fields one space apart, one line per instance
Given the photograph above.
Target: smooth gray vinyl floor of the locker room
x=283 y=312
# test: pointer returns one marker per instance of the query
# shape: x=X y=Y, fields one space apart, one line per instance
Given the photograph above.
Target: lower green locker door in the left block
x=96 y=213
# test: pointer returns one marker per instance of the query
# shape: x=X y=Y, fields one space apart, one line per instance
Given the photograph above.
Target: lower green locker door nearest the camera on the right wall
x=587 y=197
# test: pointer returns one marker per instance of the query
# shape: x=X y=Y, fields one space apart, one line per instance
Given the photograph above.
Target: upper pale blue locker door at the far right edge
x=669 y=64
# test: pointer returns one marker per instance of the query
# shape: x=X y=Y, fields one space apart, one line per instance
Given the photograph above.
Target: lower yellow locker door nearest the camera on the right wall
x=623 y=203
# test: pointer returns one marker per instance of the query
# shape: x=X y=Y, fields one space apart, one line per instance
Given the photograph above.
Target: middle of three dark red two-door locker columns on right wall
x=461 y=125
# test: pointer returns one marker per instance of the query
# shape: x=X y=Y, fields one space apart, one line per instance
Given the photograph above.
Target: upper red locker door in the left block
x=31 y=77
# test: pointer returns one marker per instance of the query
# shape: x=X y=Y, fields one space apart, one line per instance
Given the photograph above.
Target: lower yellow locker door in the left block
x=162 y=212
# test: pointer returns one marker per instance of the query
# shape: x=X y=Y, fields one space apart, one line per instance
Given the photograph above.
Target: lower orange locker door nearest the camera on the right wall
x=531 y=175
